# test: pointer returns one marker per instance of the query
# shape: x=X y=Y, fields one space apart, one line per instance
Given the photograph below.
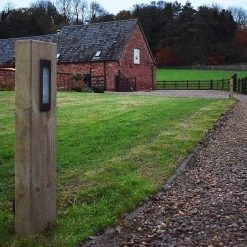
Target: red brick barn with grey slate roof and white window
x=113 y=53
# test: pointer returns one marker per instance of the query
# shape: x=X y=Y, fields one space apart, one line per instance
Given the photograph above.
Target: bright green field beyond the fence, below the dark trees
x=193 y=74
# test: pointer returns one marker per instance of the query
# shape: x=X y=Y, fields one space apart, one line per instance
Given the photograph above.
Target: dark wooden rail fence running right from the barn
x=194 y=85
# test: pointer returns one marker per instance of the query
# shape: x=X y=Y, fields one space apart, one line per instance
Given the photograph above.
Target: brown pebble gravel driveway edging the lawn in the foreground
x=205 y=205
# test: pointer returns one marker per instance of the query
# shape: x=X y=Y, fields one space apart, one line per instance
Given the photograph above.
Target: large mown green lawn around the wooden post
x=112 y=153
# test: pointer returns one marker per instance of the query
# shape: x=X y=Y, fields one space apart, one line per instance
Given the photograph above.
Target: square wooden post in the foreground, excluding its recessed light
x=35 y=158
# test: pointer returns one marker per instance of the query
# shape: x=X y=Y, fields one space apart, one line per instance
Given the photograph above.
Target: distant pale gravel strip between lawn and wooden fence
x=188 y=93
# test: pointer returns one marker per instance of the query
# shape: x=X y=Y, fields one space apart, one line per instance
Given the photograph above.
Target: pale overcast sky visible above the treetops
x=114 y=6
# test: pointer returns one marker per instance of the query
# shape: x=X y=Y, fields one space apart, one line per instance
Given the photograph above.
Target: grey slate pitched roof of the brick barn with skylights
x=80 y=43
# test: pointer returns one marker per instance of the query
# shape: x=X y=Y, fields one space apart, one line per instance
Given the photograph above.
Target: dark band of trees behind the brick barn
x=178 y=34
